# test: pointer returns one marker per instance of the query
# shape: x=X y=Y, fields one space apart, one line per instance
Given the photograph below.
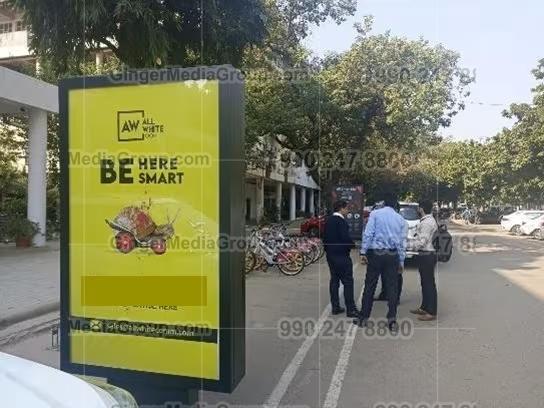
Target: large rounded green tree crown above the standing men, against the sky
x=395 y=90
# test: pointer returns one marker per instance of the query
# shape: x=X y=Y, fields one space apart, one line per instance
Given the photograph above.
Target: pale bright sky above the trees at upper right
x=500 y=40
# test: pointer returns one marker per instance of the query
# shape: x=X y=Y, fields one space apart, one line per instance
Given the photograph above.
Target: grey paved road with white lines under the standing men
x=485 y=350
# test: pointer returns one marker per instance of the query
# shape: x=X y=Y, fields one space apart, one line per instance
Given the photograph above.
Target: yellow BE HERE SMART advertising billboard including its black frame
x=147 y=193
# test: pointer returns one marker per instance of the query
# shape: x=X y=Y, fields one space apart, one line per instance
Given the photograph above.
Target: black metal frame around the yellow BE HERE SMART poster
x=231 y=223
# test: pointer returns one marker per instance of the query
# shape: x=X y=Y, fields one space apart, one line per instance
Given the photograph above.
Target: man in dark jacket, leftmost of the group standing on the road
x=338 y=245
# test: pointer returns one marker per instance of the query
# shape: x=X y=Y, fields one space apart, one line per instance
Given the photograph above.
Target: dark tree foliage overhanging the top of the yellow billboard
x=143 y=33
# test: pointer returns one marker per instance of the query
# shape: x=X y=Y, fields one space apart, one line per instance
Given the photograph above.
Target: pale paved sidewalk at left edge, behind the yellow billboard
x=29 y=282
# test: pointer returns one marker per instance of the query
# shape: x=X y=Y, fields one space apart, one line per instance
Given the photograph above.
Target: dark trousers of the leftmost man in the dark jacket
x=341 y=268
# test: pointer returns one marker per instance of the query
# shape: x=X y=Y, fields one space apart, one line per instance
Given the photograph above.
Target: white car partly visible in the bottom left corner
x=27 y=384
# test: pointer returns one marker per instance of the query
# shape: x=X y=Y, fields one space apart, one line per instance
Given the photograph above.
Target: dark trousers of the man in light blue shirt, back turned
x=386 y=265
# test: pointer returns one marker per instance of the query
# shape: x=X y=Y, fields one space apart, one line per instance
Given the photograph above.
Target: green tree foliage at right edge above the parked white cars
x=507 y=168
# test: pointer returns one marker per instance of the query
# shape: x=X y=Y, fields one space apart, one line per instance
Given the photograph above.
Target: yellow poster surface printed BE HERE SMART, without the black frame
x=146 y=157
